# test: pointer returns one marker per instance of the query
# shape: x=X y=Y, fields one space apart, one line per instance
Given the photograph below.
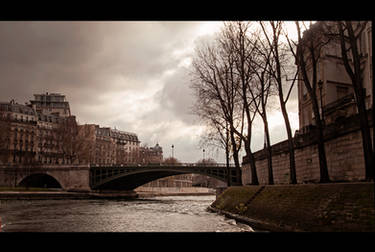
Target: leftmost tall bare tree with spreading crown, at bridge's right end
x=216 y=89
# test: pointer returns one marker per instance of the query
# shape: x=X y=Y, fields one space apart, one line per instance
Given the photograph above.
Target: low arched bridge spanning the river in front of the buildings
x=99 y=177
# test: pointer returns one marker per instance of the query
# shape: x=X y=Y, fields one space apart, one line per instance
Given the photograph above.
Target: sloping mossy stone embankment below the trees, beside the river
x=338 y=207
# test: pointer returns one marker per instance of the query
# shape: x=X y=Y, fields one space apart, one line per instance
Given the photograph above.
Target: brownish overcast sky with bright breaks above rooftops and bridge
x=131 y=75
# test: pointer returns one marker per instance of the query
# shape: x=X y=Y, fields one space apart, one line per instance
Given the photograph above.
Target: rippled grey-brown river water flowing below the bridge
x=158 y=214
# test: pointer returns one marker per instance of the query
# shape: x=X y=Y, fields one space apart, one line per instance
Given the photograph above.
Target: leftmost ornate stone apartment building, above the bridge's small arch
x=29 y=137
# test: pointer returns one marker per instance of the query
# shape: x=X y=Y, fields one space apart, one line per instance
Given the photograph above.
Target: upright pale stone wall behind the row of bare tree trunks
x=344 y=151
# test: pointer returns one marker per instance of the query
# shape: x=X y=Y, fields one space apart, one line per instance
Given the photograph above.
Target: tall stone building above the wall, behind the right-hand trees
x=335 y=93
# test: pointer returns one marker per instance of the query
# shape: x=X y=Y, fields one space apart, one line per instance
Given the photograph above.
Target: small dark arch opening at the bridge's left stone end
x=41 y=180
